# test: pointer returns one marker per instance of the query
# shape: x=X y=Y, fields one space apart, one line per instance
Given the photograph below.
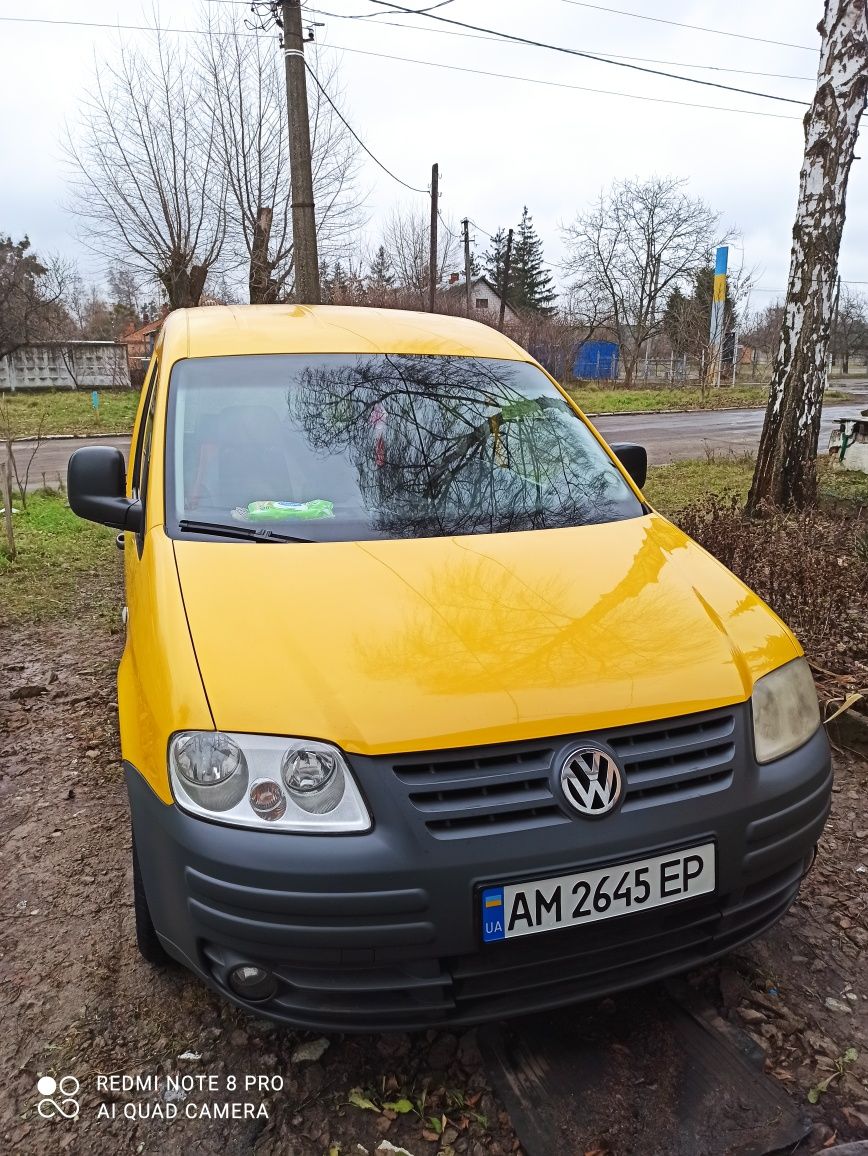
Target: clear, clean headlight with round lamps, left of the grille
x=258 y=781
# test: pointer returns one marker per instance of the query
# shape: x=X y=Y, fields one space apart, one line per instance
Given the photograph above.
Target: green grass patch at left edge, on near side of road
x=60 y=559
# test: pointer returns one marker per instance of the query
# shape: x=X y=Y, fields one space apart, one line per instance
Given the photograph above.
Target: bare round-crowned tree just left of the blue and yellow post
x=640 y=242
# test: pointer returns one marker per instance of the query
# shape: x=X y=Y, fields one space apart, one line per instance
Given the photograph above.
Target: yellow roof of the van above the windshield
x=228 y=330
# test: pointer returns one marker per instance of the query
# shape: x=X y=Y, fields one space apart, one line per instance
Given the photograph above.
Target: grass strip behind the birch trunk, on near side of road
x=673 y=487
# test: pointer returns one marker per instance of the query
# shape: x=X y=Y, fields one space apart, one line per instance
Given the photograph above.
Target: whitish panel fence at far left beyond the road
x=66 y=366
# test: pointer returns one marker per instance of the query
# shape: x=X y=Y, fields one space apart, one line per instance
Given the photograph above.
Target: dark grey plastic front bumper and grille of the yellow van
x=382 y=930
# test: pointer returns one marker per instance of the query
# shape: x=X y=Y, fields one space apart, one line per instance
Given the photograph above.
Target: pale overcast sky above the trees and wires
x=501 y=144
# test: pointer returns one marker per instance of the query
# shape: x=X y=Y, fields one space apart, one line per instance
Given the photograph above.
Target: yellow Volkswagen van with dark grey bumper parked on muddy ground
x=427 y=716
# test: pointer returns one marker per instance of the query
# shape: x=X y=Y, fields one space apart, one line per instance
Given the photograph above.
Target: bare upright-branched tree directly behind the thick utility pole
x=243 y=88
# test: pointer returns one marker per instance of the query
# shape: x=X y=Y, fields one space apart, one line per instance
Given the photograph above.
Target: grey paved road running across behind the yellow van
x=669 y=438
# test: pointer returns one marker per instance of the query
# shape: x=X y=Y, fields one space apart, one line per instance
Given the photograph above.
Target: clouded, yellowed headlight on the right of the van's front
x=787 y=713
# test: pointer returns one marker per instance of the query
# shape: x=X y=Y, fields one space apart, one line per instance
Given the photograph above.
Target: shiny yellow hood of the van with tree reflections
x=420 y=644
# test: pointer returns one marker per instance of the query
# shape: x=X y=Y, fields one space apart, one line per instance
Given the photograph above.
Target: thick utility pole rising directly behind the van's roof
x=305 y=221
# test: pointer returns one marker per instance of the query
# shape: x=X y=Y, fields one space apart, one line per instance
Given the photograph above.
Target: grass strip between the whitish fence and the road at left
x=70 y=412
